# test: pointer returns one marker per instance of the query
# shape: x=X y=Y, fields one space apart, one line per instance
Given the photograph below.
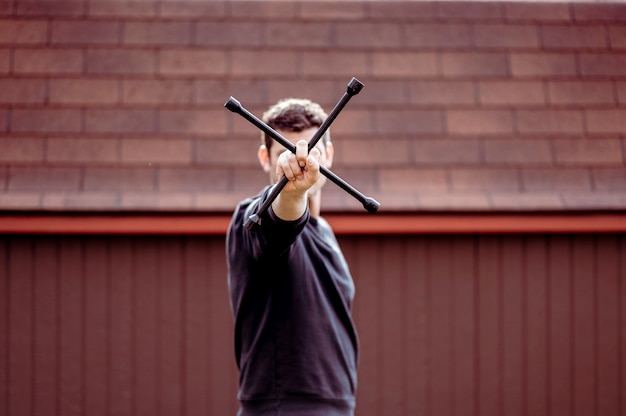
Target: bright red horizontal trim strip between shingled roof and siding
x=359 y=224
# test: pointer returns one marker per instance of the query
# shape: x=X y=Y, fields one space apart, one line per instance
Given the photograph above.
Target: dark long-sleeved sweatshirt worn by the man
x=291 y=293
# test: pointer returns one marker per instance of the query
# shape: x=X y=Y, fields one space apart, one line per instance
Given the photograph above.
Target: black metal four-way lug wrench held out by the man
x=354 y=87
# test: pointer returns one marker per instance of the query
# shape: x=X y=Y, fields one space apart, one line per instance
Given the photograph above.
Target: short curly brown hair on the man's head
x=294 y=115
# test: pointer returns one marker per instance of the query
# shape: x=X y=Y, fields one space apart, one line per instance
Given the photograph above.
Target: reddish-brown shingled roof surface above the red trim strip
x=113 y=105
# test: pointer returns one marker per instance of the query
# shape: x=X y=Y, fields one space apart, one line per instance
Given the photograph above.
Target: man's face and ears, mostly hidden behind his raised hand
x=268 y=159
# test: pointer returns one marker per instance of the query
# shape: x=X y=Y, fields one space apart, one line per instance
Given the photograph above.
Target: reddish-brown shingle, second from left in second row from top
x=85 y=32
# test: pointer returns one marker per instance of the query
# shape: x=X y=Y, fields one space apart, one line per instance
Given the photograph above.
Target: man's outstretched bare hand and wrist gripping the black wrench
x=302 y=169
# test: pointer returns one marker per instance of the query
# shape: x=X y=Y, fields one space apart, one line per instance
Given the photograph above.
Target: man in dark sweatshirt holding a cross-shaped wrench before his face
x=290 y=288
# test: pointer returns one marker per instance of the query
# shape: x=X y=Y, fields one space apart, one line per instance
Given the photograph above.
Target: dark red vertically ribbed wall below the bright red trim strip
x=449 y=325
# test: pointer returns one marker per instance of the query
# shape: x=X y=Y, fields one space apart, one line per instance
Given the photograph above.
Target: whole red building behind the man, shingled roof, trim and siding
x=502 y=123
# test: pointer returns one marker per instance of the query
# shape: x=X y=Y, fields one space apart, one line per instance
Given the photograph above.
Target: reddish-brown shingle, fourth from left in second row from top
x=230 y=33
